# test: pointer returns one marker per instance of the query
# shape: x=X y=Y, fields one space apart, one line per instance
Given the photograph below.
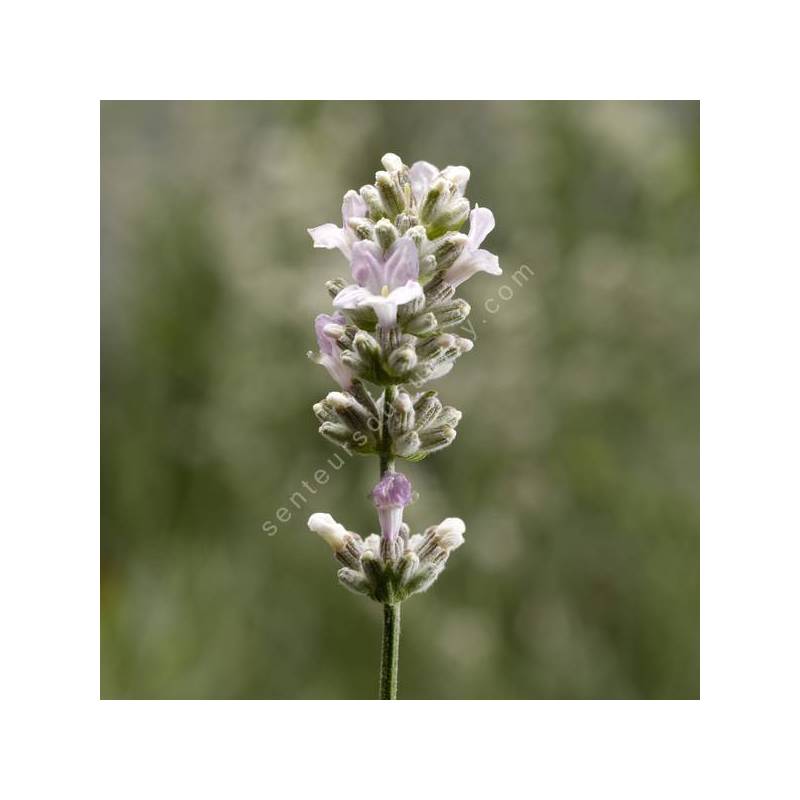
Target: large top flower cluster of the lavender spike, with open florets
x=401 y=235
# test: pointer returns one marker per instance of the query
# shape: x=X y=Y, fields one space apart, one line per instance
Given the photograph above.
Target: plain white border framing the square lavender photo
x=59 y=59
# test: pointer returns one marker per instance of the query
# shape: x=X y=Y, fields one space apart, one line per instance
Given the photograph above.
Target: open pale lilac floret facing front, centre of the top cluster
x=382 y=282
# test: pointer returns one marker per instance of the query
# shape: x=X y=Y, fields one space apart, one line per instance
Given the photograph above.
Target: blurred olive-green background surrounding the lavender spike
x=576 y=463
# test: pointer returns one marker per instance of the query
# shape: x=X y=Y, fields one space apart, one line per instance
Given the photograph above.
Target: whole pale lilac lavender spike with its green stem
x=390 y=329
